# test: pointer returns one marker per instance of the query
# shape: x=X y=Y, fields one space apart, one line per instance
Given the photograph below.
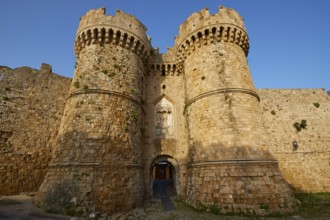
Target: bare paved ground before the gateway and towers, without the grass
x=21 y=208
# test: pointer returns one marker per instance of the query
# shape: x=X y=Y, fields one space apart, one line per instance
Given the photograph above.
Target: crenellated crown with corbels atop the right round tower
x=202 y=28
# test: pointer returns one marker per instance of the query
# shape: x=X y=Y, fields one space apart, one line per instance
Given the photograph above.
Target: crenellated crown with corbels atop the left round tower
x=122 y=29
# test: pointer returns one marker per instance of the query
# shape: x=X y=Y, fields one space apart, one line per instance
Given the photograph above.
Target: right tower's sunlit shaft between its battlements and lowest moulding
x=222 y=109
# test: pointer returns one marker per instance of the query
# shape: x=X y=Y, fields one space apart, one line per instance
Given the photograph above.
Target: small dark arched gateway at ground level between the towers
x=164 y=169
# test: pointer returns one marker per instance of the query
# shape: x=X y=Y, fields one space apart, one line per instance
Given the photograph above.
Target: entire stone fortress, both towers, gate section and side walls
x=98 y=142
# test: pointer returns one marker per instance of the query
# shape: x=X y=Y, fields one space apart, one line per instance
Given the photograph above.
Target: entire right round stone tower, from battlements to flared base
x=229 y=169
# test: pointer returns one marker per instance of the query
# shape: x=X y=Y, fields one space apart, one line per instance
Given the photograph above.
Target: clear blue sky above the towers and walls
x=289 y=39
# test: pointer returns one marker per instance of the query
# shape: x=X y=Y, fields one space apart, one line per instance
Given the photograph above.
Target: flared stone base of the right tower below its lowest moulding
x=240 y=187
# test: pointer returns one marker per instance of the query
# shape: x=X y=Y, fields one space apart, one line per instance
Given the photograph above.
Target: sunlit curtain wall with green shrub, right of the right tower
x=306 y=167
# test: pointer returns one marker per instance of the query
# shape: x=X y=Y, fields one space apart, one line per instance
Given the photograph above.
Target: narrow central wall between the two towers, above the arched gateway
x=165 y=85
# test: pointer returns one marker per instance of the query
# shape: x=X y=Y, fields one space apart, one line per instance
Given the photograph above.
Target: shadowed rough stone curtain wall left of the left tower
x=31 y=108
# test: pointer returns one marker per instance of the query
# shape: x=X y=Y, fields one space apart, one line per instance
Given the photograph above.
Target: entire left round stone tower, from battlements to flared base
x=97 y=157
